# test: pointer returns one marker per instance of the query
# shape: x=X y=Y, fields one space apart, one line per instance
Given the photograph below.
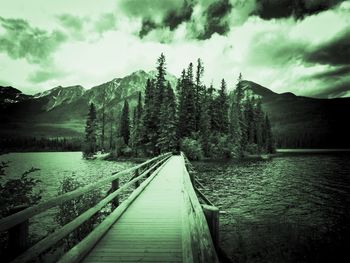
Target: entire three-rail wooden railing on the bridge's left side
x=147 y=170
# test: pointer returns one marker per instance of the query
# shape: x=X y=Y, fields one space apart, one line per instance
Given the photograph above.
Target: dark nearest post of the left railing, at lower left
x=18 y=234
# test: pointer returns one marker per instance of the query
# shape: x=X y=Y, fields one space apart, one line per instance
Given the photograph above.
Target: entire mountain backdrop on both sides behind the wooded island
x=61 y=112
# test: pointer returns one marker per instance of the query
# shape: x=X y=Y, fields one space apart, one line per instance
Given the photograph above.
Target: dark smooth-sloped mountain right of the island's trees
x=305 y=122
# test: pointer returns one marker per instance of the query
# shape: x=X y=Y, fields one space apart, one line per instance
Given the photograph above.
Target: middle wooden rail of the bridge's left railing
x=52 y=239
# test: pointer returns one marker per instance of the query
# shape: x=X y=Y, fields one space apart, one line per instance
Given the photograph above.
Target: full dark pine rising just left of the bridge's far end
x=167 y=140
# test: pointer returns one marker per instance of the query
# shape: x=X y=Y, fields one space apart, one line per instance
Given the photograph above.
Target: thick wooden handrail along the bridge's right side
x=203 y=249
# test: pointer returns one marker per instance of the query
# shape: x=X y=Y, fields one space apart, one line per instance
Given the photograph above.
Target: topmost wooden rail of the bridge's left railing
x=12 y=220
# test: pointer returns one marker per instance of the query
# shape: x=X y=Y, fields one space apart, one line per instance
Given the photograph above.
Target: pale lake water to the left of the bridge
x=54 y=166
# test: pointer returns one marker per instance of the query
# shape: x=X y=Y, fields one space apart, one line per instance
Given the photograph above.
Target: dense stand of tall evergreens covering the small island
x=201 y=121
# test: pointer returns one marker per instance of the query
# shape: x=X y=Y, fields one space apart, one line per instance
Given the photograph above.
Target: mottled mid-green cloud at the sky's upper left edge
x=21 y=40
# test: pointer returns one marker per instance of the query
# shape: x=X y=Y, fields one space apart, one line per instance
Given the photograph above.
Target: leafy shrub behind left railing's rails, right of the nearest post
x=69 y=210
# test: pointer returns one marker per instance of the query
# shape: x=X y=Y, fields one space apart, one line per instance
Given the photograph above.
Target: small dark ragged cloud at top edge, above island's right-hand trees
x=216 y=19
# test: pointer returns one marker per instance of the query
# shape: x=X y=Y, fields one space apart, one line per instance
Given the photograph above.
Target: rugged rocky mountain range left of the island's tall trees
x=62 y=111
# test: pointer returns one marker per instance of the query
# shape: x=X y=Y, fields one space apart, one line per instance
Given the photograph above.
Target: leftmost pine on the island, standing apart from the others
x=90 y=132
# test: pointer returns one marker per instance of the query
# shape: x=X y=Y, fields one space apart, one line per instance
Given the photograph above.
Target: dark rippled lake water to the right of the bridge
x=292 y=208
